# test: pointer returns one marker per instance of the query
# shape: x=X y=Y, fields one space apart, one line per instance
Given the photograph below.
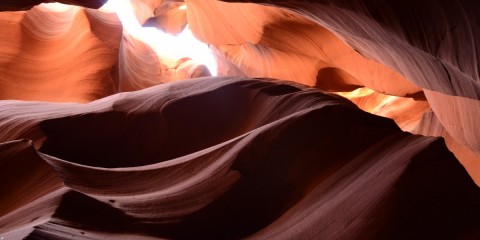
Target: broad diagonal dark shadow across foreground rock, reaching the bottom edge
x=278 y=168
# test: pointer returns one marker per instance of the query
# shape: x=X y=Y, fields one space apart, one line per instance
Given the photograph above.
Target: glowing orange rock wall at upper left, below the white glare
x=63 y=53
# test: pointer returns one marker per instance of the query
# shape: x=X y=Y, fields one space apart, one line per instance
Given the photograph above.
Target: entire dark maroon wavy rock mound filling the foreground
x=228 y=158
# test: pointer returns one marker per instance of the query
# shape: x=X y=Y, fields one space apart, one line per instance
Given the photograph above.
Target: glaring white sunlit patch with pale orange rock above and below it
x=151 y=55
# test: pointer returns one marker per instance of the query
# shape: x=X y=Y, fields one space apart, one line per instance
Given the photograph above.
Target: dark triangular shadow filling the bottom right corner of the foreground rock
x=435 y=198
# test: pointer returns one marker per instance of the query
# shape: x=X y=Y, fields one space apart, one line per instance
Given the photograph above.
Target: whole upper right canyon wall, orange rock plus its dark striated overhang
x=395 y=48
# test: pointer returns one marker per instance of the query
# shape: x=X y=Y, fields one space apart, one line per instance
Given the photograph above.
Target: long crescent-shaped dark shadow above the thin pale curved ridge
x=182 y=126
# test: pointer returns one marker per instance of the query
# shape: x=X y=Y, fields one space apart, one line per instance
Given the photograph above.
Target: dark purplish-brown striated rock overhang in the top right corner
x=417 y=40
